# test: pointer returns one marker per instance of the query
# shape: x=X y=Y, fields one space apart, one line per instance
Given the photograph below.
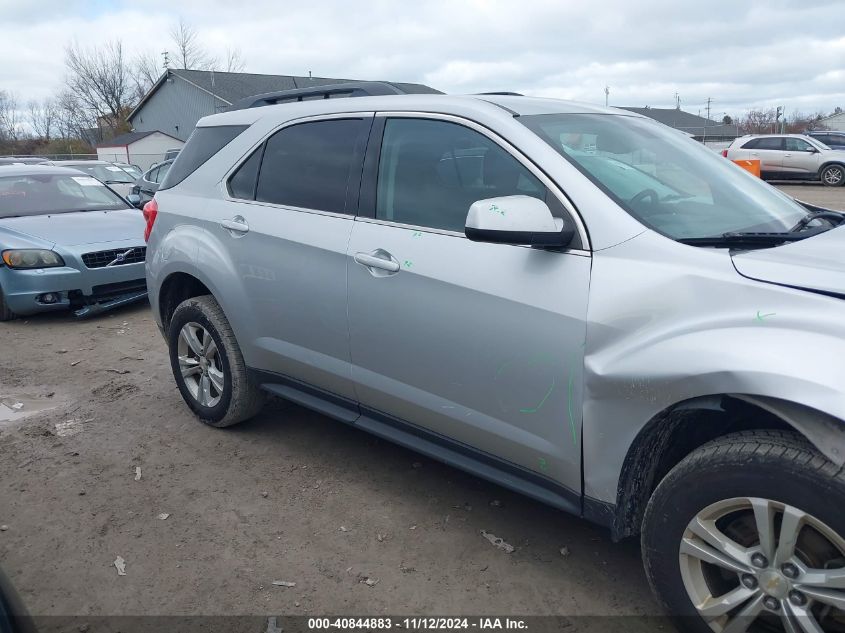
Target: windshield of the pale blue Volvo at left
x=41 y=194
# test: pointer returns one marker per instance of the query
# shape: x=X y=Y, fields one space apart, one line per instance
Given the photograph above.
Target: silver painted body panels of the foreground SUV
x=529 y=356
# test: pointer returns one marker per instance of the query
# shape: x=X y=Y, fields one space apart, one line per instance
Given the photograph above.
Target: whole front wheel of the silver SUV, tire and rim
x=746 y=534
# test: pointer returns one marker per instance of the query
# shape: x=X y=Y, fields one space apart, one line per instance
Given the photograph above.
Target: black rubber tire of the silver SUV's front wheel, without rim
x=775 y=465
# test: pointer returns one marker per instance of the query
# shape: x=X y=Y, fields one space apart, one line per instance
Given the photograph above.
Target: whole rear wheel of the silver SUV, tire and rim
x=208 y=365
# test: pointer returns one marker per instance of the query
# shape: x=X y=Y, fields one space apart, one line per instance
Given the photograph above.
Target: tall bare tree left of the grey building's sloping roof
x=101 y=80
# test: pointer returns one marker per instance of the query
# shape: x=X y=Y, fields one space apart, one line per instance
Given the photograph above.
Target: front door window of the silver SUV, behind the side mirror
x=430 y=172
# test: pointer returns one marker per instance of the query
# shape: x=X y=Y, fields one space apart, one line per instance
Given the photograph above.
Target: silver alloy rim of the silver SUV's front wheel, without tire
x=753 y=564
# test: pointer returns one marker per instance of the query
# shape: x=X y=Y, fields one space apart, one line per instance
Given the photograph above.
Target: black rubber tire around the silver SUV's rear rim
x=241 y=398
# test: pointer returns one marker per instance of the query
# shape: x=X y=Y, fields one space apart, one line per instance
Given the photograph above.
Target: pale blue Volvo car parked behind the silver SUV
x=67 y=242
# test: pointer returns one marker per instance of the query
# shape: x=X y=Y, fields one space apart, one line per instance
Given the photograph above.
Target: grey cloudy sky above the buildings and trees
x=742 y=54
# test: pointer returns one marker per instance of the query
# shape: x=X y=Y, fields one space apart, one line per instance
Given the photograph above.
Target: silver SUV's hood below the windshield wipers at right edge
x=817 y=263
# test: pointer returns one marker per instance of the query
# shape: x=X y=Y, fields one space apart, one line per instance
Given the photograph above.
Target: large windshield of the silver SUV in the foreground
x=664 y=179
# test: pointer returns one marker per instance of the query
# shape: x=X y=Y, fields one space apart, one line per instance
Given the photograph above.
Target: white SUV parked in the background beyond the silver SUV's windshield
x=791 y=157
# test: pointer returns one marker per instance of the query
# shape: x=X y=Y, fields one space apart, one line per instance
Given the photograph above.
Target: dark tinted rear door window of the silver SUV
x=311 y=165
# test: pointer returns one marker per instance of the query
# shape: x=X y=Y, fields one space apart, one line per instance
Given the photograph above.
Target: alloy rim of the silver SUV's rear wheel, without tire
x=200 y=364
